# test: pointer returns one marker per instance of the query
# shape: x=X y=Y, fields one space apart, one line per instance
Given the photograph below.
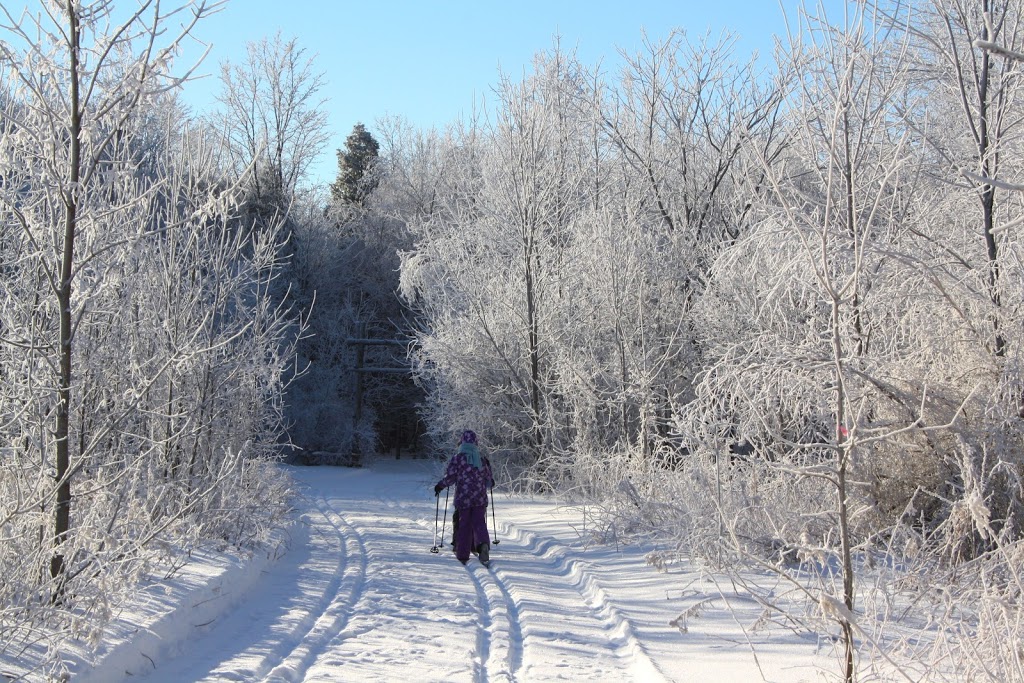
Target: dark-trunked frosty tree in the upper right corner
x=976 y=96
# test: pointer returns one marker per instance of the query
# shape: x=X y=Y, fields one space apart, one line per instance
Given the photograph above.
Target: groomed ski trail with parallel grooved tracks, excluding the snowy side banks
x=361 y=594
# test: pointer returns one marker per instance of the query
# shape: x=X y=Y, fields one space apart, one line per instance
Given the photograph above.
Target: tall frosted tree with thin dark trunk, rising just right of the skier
x=487 y=272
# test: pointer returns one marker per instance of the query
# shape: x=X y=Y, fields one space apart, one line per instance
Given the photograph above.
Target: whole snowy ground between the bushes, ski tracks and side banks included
x=359 y=596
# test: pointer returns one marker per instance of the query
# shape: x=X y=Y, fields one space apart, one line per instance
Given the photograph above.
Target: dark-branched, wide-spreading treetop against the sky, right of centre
x=684 y=118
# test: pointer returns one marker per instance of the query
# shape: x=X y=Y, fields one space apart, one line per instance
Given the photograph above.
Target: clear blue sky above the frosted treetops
x=429 y=60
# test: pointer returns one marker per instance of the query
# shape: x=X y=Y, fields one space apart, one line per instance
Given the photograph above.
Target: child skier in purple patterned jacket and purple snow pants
x=471 y=473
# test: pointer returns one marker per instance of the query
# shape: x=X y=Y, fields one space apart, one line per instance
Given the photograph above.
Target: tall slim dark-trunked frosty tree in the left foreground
x=70 y=112
